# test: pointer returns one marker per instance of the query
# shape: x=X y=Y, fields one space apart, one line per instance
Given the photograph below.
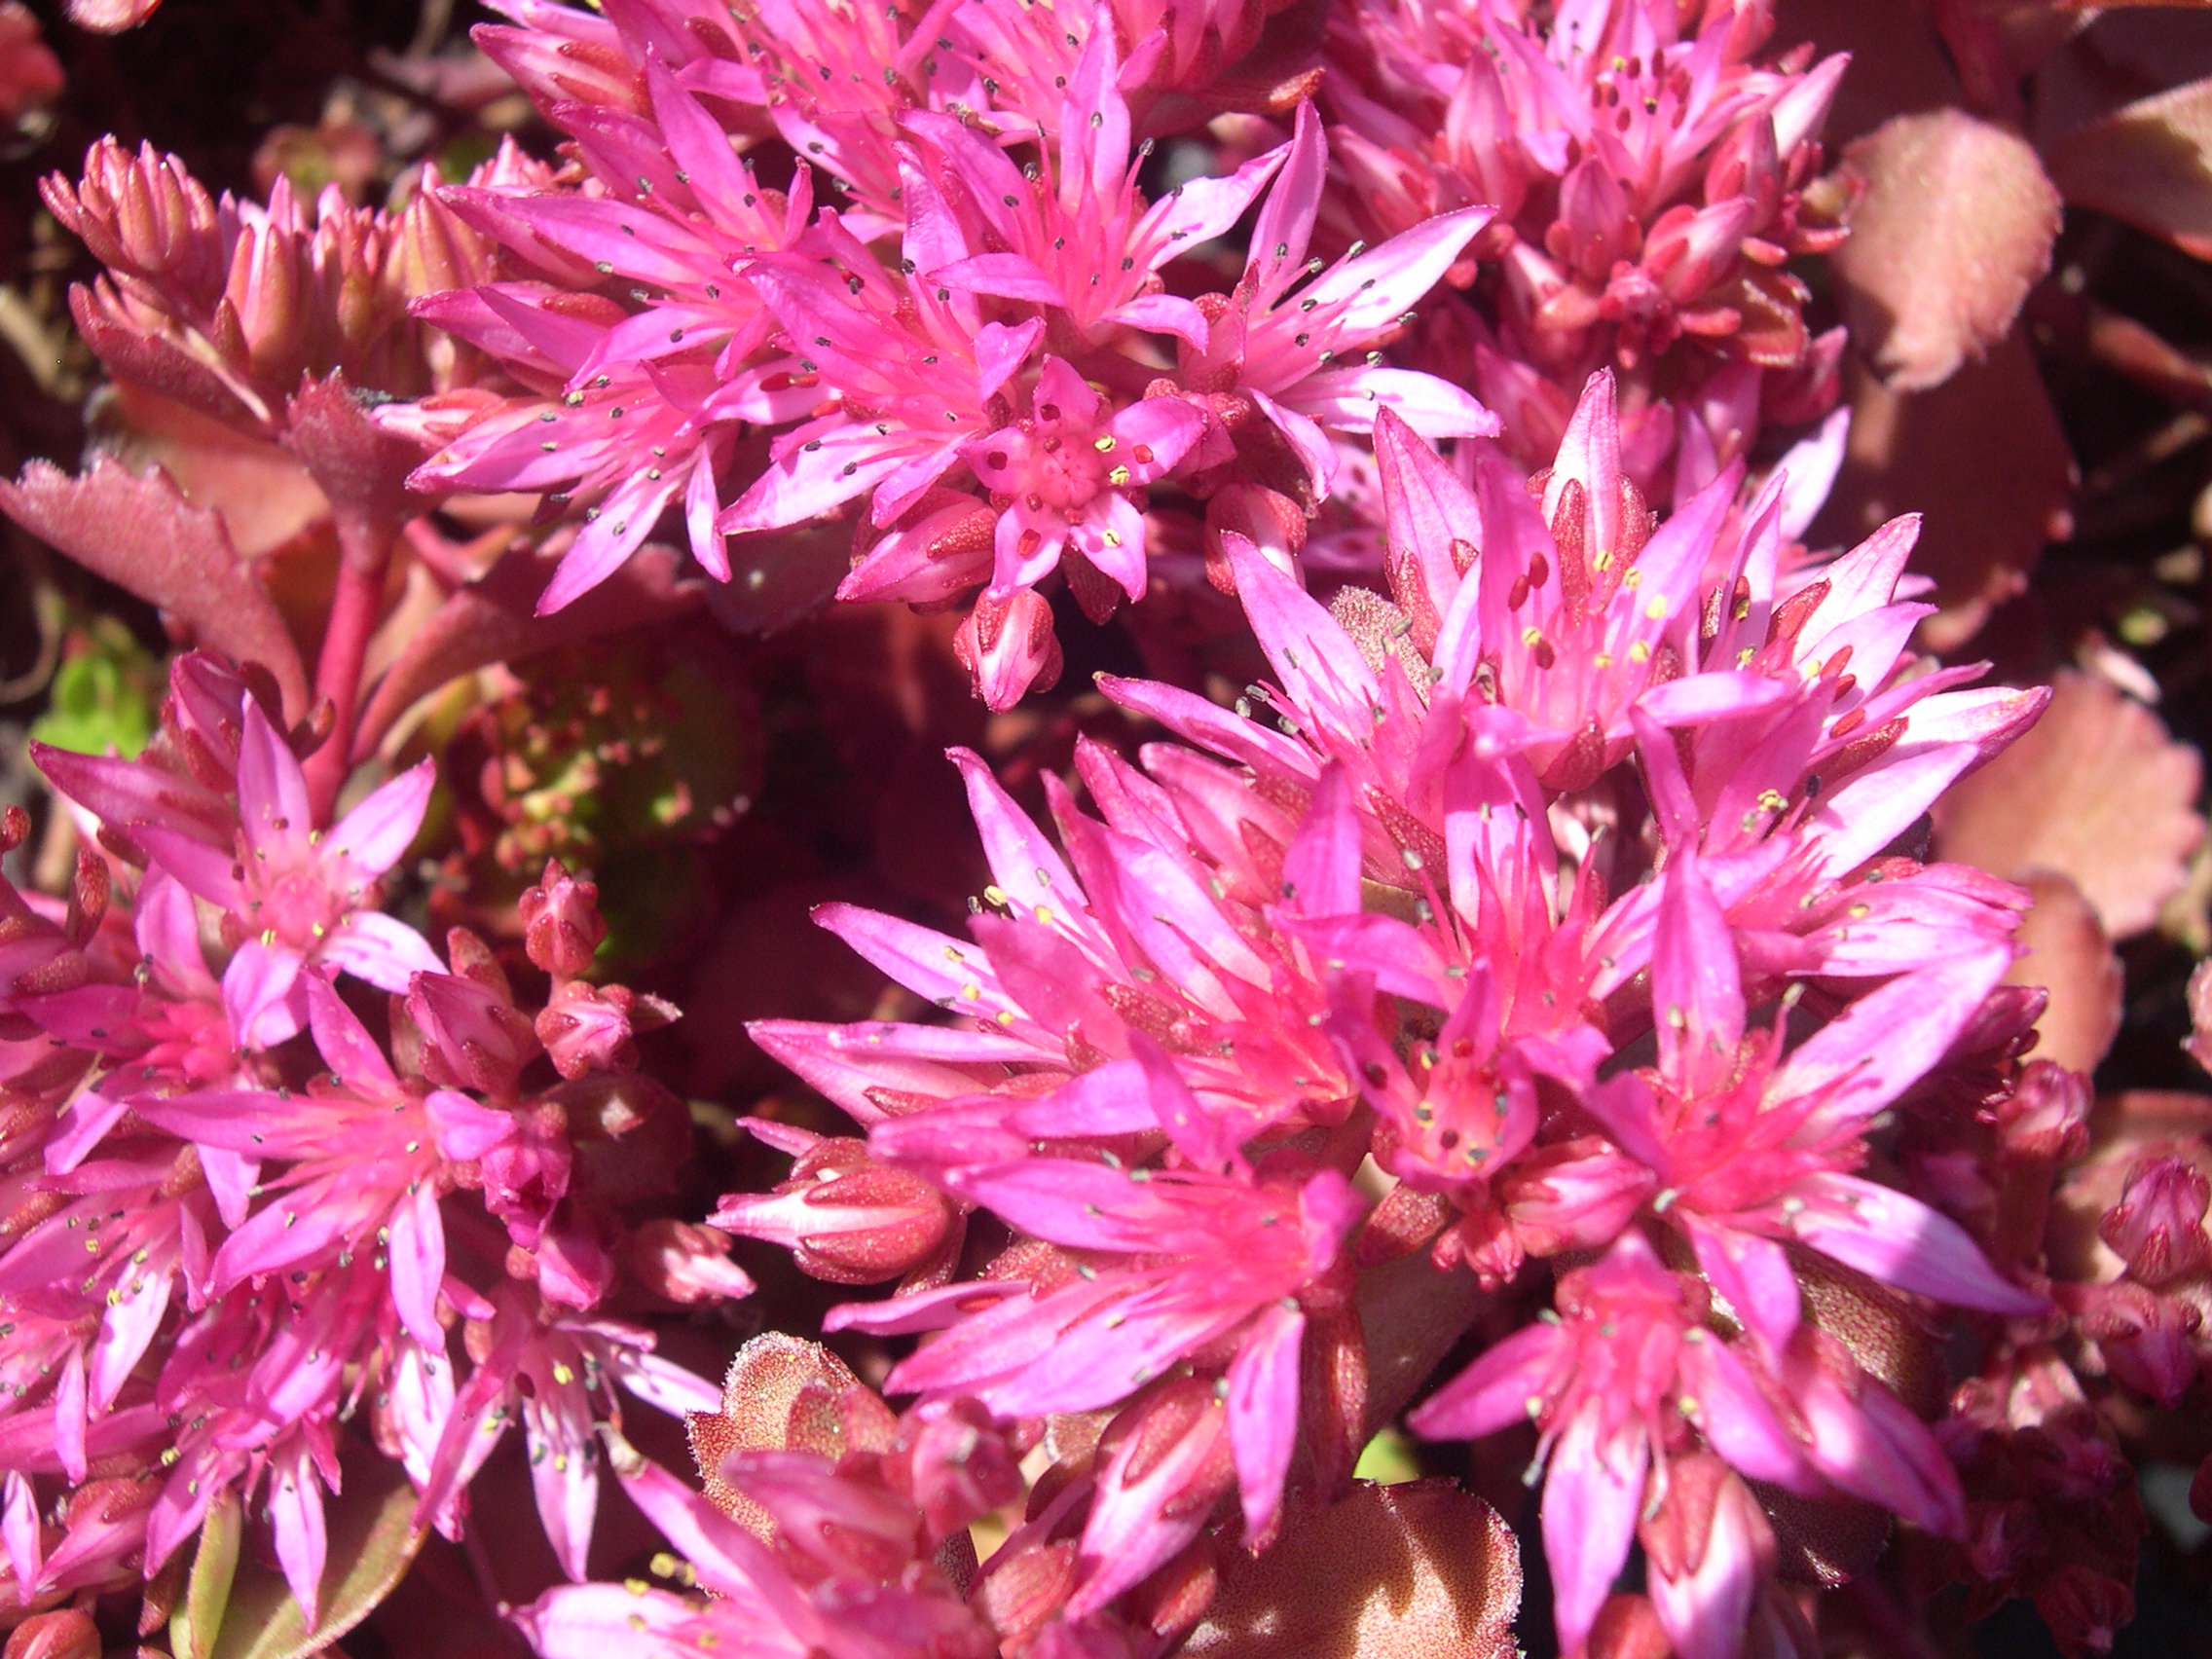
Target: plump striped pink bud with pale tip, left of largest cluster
x=846 y=1218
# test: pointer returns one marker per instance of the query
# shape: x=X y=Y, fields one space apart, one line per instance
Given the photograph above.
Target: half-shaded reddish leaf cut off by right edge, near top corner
x=2149 y=165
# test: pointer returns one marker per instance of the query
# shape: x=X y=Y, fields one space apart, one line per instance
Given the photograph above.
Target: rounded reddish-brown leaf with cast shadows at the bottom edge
x=1417 y=1572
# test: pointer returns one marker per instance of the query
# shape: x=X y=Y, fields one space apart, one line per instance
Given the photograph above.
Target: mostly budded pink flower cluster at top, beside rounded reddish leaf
x=1651 y=180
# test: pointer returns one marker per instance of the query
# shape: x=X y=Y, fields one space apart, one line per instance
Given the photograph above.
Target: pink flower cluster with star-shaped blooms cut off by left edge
x=244 y=1202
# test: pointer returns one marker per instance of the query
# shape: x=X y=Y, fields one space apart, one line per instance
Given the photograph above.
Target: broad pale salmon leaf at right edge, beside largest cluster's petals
x=2096 y=793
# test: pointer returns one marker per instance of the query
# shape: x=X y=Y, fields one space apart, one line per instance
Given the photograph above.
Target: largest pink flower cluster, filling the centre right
x=1558 y=921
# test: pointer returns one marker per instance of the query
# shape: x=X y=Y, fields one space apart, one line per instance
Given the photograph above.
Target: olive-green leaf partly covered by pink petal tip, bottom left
x=373 y=1538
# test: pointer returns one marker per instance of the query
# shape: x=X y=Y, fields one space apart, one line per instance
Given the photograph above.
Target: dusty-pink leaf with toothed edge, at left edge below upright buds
x=140 y=534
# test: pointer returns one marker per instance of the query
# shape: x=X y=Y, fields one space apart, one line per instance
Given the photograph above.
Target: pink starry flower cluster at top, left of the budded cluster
x=1005 y=342
